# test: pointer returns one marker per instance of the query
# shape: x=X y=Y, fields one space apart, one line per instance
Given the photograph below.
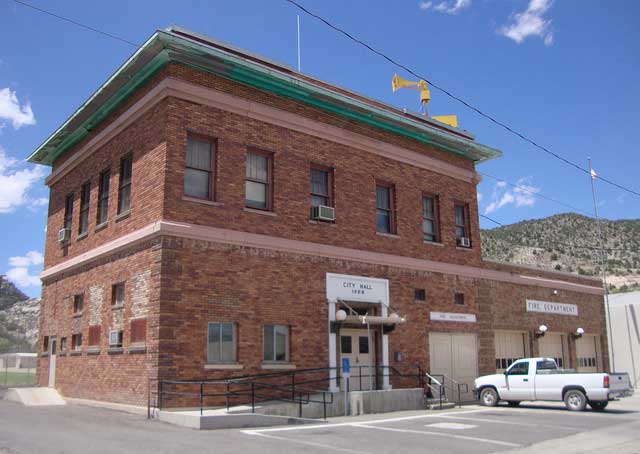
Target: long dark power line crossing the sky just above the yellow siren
x=458 y=99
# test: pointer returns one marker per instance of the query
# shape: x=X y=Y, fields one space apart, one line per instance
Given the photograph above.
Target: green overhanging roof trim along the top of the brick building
x=223 y=60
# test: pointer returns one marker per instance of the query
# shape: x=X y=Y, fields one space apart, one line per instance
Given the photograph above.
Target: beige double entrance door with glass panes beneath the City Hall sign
x=356 y=345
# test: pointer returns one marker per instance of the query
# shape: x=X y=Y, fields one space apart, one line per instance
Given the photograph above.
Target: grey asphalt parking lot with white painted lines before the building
x=472 y=429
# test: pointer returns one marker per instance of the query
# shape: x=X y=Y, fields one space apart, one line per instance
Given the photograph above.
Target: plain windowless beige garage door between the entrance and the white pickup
x=456 y=356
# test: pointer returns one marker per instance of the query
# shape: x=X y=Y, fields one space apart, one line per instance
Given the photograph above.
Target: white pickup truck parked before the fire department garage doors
x=541 y=379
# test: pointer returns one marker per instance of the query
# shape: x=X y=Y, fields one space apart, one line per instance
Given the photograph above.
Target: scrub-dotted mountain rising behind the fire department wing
x=570 y=243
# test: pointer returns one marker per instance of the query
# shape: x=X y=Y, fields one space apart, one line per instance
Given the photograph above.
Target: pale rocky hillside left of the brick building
x=19 y=317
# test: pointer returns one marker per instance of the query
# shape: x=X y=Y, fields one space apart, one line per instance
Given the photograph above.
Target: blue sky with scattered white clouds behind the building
x=565 y=72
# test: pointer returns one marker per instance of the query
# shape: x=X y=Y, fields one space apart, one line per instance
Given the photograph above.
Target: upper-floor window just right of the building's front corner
x=198 y=170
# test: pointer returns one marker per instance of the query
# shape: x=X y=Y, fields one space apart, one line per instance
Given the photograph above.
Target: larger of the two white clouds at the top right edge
x=530 y=22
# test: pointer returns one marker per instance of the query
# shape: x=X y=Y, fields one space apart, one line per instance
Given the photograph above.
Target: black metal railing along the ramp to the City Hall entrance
x=299 y=386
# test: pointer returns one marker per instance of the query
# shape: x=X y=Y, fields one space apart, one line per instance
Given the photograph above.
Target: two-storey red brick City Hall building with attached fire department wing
x=212 y=213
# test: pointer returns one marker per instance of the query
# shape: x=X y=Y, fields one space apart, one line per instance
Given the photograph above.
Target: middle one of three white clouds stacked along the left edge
x=15 y=184
